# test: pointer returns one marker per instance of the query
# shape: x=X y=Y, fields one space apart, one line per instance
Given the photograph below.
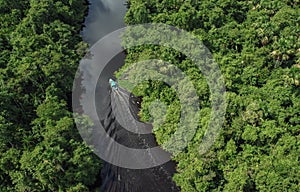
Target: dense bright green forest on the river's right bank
x=256 y=44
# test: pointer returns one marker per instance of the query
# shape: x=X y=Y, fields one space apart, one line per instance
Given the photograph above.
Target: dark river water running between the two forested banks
x=105 y=16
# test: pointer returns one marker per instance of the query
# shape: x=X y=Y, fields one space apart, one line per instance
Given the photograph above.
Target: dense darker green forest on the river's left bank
x=40 y=148
